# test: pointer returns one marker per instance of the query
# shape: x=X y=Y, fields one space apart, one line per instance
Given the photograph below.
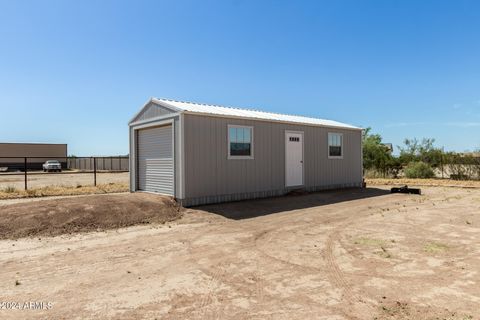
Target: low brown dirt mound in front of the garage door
x=85 y=213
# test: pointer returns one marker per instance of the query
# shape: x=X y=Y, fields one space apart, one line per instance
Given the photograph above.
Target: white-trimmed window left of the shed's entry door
x=240 y=142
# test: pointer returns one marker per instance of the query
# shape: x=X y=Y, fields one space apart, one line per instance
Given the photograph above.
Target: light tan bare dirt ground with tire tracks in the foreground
x=355 y=254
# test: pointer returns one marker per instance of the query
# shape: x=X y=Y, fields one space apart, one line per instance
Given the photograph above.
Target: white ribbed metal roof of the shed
x=248 y=113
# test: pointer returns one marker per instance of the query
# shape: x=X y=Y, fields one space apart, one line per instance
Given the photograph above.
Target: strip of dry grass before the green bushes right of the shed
x=424 y=182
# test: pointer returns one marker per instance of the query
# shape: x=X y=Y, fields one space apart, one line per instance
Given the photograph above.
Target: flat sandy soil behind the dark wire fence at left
x=40 y=179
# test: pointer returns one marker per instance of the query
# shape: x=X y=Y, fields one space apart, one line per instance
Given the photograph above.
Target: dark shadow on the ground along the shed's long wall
x=255 y=208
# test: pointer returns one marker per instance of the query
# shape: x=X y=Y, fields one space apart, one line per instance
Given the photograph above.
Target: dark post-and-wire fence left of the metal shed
x=33 y=172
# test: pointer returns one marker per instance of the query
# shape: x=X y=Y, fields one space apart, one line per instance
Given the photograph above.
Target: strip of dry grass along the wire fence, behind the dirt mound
x=12 y=193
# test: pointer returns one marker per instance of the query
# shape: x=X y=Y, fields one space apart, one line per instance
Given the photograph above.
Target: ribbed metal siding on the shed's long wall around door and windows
x=209 y=173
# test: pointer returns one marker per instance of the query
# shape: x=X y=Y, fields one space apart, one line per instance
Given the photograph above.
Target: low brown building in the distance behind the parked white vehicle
x=47 y=151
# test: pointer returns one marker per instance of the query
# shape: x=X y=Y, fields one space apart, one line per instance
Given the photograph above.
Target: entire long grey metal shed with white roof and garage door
x=202 y=154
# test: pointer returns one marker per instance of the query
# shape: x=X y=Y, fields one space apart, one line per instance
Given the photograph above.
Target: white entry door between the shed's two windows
x=293 y=159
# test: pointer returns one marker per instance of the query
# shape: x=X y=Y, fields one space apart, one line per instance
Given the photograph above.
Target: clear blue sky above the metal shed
x=76 y=71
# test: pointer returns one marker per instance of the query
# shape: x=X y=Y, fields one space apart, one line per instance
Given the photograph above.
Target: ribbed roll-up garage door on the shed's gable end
x=155 y=160
